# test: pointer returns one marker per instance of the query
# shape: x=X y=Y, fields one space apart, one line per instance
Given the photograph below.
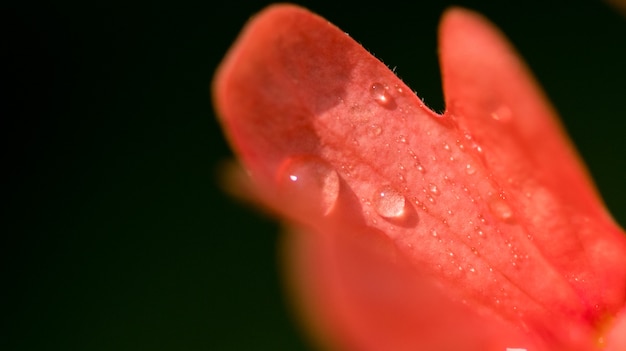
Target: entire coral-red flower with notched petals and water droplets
x=475 y=229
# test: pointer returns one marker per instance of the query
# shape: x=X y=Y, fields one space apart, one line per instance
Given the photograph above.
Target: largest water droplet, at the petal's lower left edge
x=309 y=183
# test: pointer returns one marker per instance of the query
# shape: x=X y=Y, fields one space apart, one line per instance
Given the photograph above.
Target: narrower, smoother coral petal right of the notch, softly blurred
x=491 y=93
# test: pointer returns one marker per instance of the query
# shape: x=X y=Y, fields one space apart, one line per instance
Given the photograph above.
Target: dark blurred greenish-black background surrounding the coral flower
x=115 y=233
